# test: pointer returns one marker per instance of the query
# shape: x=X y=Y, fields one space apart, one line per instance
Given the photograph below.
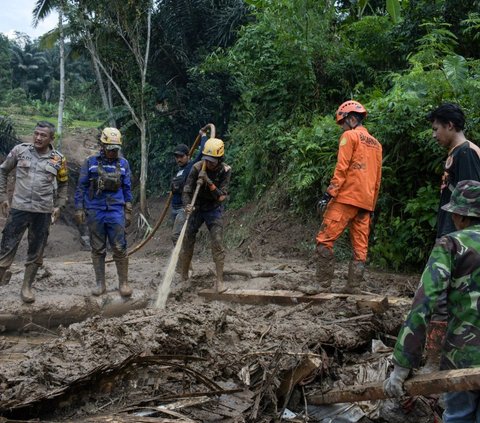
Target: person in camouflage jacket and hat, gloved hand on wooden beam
x=454 y=268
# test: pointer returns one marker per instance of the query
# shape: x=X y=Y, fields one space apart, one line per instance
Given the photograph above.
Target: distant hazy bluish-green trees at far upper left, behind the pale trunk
x=29 y=79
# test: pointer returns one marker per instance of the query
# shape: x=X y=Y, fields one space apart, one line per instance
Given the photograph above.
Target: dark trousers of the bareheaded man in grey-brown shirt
x=18 y=221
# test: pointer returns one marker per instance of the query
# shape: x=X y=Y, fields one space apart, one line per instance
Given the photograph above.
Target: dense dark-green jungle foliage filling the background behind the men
x=270 y=74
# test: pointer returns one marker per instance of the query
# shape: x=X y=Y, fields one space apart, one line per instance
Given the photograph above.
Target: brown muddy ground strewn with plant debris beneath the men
x=72 y=357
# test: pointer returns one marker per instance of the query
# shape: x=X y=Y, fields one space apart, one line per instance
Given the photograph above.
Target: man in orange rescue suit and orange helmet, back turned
x=351 y=196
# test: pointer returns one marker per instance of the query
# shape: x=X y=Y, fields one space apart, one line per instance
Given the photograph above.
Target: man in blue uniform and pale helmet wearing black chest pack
x=103 y=200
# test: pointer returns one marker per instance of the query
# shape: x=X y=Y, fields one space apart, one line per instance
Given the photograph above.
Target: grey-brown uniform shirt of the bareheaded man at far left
x=41 y=180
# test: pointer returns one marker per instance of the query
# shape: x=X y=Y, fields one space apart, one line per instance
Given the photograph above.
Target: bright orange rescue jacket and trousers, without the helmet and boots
x=354 y=186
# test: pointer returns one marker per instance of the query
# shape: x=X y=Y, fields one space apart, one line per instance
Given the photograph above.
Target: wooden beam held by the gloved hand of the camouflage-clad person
x=425 y=384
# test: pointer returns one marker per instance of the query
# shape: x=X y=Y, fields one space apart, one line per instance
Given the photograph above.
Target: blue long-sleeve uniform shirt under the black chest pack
x=87 y=198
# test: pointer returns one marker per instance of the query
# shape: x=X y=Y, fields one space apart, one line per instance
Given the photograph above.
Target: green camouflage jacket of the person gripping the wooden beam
x=454 y=267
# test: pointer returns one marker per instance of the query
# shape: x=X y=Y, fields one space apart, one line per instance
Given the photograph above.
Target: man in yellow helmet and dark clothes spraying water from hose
x=214 y=175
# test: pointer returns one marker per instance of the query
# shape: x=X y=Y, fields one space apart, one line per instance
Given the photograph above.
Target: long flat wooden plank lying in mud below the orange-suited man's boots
x=254 y=296
